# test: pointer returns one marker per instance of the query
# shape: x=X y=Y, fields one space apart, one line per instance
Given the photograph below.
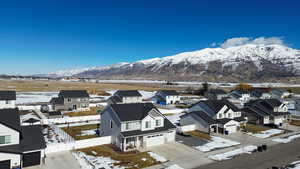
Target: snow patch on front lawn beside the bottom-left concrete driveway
x=91 y=162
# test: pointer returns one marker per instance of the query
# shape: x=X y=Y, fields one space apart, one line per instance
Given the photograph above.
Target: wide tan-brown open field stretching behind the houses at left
x=92 y=88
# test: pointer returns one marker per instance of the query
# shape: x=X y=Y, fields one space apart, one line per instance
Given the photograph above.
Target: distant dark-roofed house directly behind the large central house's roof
x=125 y=96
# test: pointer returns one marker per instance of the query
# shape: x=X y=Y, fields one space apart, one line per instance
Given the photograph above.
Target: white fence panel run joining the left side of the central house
x=52 y=148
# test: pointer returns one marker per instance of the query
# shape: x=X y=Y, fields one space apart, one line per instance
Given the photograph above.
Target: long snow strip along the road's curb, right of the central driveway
x=233 y=153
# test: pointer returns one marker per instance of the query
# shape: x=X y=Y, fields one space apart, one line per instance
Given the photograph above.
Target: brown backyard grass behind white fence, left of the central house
x=77 y=131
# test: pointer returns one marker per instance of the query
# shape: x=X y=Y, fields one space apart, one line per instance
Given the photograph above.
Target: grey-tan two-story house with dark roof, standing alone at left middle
x=77 y=100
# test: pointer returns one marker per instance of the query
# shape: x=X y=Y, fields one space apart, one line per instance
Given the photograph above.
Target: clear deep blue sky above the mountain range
x=39 y=36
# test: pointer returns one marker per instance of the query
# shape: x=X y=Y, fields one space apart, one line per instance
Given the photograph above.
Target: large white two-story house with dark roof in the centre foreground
x=136 y=126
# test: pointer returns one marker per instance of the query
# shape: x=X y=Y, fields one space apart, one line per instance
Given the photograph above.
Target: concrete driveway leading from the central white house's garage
x=180 y=154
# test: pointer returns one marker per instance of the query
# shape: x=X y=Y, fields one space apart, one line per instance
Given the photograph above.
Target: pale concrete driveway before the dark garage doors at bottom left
x=62 y=160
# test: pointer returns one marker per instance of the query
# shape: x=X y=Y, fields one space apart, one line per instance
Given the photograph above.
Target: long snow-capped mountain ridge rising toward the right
x=250 y=61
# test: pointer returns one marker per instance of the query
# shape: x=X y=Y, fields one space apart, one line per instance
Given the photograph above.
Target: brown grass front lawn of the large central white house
x=131 y=160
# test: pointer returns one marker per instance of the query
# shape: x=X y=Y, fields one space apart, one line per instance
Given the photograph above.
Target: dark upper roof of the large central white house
x=132 y=111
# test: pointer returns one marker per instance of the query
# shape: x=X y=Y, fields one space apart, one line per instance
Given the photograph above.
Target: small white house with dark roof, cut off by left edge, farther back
x=7 y=99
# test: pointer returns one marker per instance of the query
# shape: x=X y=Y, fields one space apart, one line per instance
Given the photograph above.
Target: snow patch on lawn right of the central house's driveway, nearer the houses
x=217 y=143
